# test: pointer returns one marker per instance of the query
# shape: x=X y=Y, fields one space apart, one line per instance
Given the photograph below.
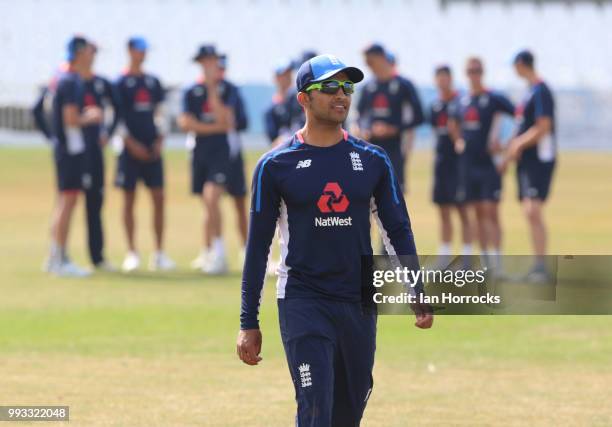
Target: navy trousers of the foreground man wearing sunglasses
x=330 y=348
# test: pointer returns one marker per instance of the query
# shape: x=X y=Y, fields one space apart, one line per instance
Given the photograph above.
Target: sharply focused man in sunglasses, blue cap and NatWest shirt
x=322 y=186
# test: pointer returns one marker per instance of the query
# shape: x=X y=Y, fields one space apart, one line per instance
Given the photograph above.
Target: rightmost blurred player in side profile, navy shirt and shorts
x=535 y=150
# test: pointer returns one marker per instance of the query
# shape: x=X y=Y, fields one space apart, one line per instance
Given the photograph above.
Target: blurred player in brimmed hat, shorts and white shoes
x=207 y=113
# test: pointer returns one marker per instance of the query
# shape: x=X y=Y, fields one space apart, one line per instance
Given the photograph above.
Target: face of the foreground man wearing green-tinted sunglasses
x=326 y=107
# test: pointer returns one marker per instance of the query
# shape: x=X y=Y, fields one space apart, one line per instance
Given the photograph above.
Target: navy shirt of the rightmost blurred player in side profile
x=539 y=102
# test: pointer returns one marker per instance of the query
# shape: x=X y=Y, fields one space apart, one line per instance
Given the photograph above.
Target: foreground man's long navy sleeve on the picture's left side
x=265 y=206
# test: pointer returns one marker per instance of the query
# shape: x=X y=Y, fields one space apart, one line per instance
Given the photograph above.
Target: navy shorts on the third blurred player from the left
x=131 y=170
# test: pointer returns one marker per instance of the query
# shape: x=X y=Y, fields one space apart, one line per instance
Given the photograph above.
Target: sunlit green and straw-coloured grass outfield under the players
x=158 y=350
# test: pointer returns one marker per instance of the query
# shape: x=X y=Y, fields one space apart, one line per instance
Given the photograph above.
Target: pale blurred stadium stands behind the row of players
x=570 y=38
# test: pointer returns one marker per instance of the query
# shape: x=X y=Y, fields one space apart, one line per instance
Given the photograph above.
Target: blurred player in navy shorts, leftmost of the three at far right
x=448 y=190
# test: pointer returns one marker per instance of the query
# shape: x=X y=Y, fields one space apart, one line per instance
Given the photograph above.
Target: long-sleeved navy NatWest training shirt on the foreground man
x=322 y=199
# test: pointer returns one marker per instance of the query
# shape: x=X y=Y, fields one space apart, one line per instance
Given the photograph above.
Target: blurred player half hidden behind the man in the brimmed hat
x=236 y=182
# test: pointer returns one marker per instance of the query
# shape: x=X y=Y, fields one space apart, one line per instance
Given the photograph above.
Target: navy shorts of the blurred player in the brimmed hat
x=209 y=163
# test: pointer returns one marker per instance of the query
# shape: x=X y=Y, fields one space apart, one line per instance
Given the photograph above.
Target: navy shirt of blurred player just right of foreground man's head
x=394 y=102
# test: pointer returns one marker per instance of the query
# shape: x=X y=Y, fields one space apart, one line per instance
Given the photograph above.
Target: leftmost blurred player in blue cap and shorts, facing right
x=68 y=118
